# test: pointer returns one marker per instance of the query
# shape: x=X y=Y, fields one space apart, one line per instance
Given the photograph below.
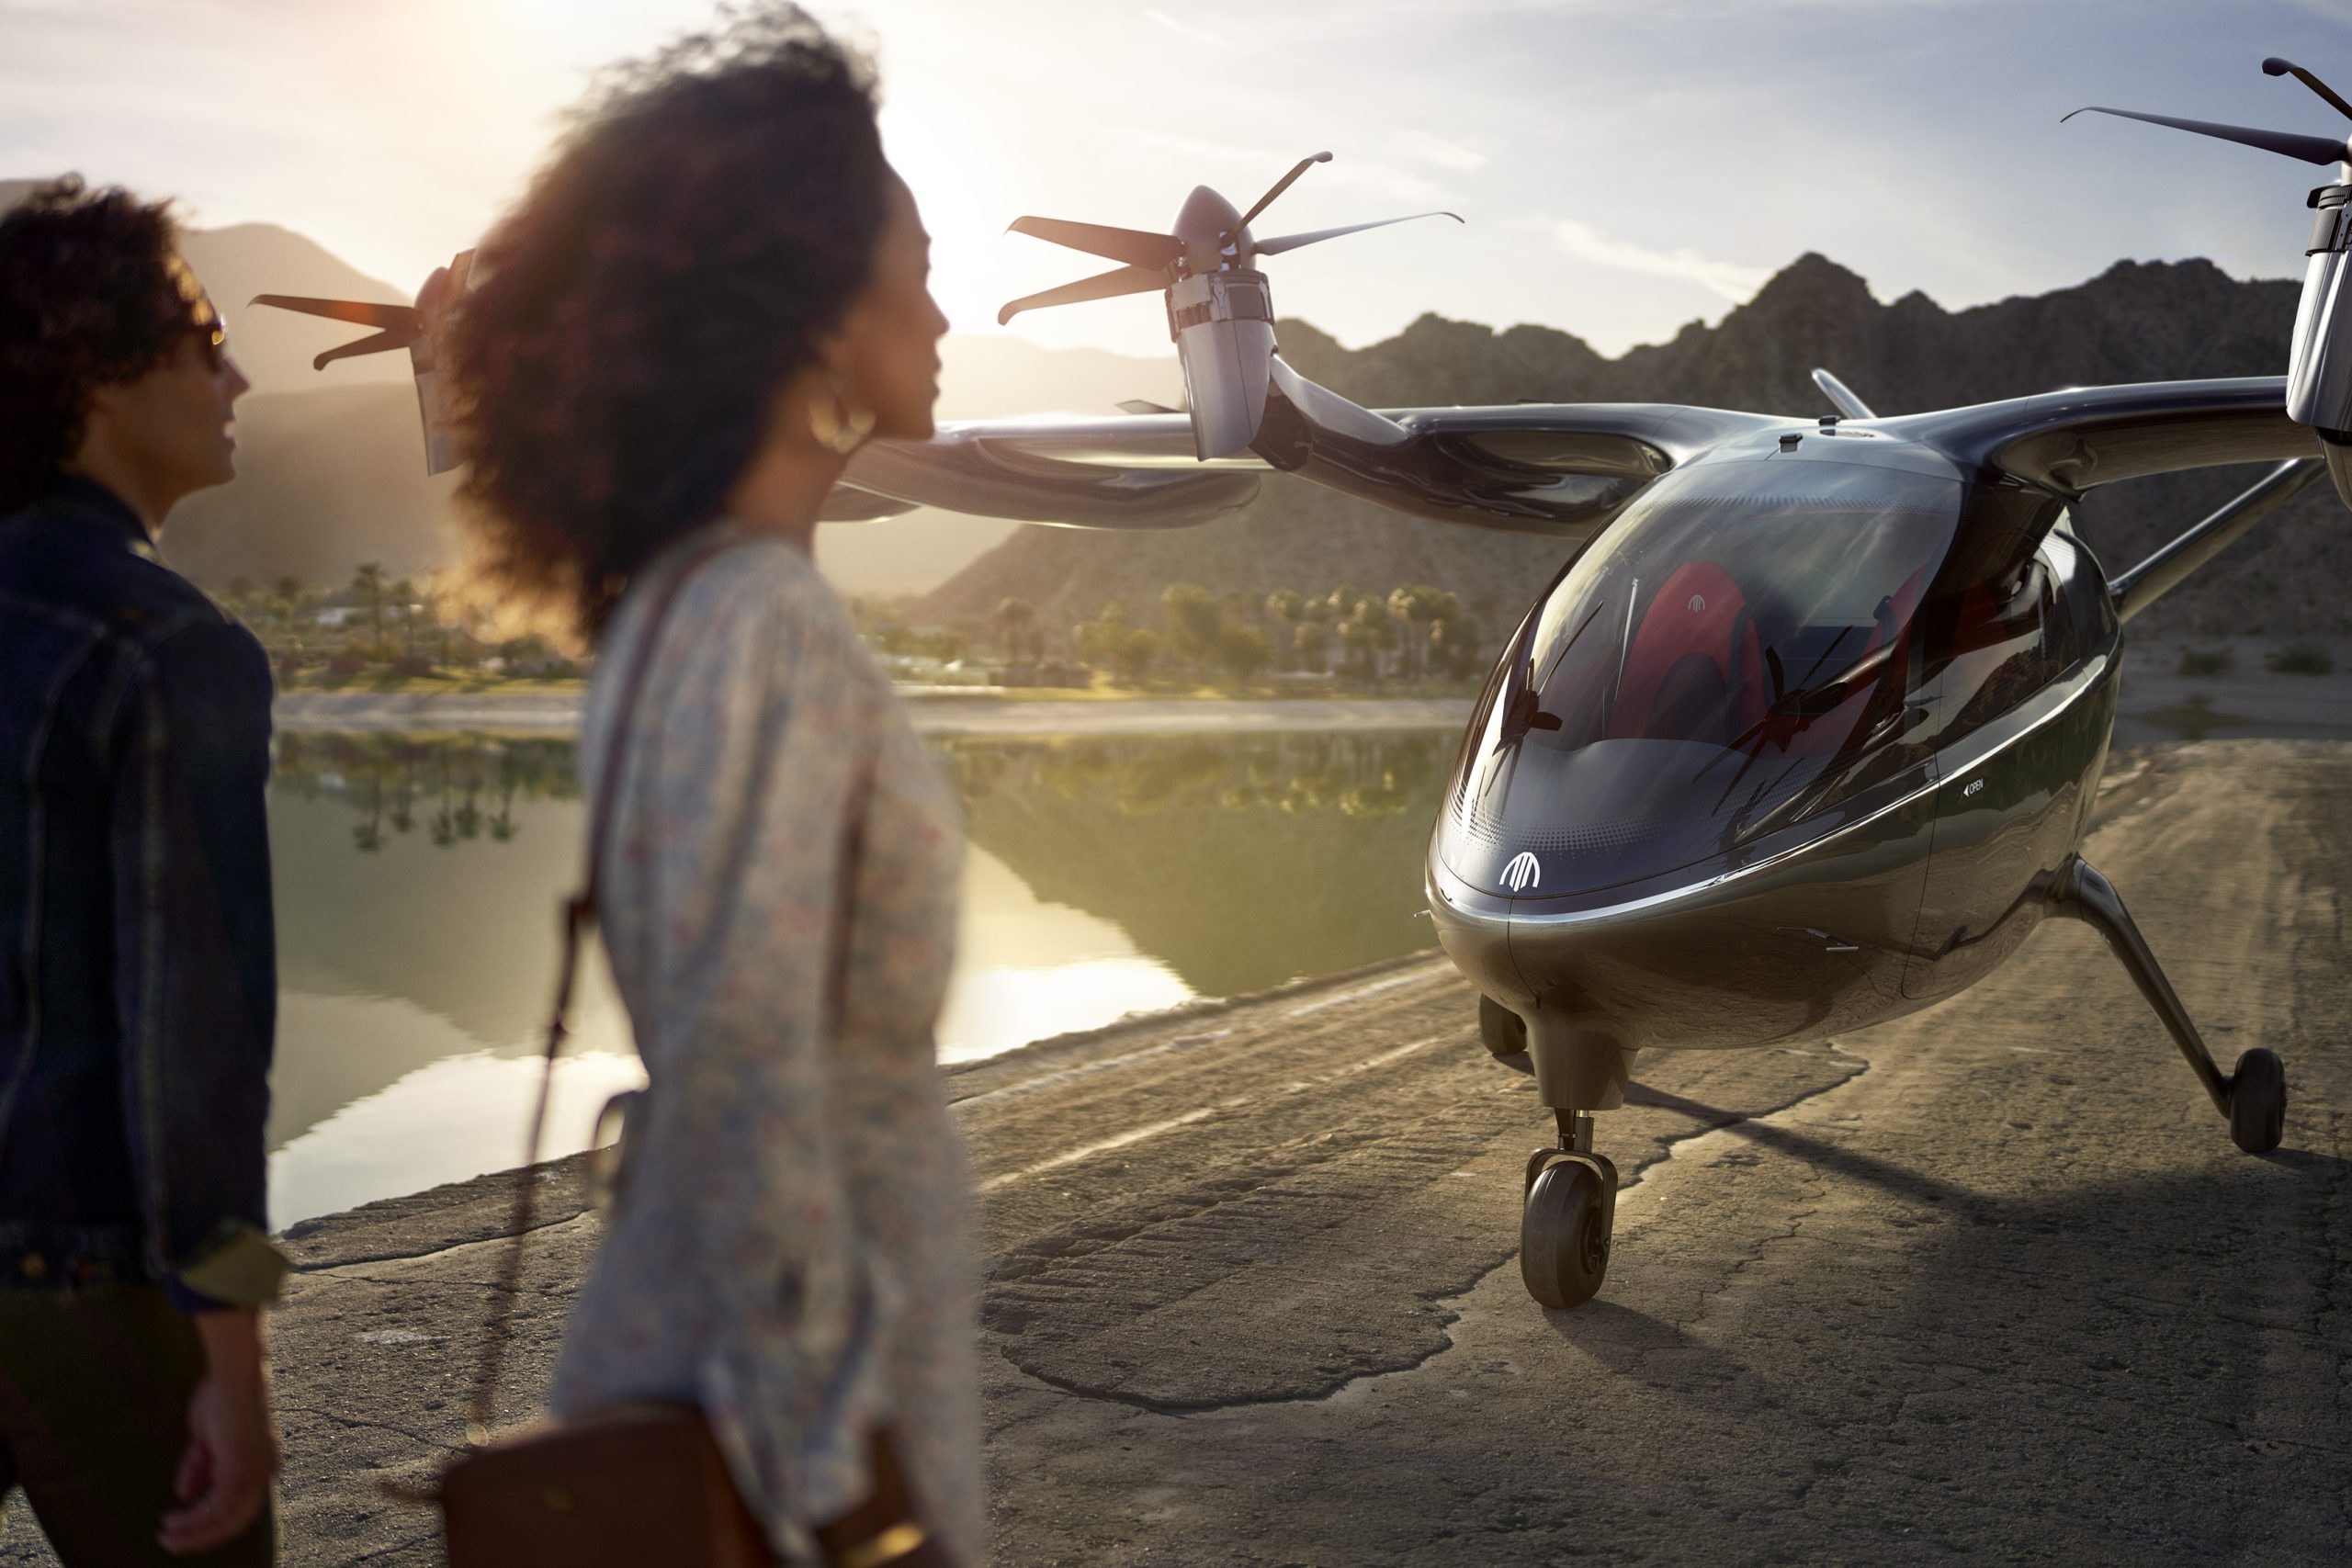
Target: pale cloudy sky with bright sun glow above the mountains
x=1622 y=166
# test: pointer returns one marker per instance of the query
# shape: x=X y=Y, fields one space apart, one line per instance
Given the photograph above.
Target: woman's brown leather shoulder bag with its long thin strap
x=636 y=1485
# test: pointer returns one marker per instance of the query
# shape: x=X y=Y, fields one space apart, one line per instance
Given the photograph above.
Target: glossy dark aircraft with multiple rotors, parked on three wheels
x=1805 y=732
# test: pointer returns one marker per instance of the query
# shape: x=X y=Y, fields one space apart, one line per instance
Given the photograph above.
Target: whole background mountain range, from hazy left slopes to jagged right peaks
x=333 y=464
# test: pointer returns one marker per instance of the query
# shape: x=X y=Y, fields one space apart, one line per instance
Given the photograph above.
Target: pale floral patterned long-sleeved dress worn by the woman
x=791 y=1245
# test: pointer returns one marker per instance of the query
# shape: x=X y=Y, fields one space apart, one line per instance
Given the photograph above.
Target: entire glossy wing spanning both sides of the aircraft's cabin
x=1535 y=469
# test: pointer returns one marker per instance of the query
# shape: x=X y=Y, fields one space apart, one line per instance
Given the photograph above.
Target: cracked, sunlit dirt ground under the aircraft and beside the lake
x=1984 y=1285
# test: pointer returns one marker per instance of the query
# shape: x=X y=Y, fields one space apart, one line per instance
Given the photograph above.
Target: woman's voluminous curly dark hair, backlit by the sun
x=711 y=213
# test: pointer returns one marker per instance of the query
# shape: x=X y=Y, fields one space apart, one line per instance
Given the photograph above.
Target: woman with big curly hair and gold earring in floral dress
x=693 y=319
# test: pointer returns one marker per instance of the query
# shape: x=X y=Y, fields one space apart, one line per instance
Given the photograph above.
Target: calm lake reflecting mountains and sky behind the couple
x=420 y=885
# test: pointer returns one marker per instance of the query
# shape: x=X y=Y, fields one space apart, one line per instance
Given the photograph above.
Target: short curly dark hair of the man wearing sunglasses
x=91 y=295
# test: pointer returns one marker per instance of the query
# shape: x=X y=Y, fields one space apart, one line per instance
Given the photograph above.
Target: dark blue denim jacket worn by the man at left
x=138 y=956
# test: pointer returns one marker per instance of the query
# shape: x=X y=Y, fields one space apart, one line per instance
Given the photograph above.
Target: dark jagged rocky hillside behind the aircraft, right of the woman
x=2134 y=323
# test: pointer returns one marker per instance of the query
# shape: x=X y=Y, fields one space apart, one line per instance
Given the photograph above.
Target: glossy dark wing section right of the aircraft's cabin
x=2094 y=436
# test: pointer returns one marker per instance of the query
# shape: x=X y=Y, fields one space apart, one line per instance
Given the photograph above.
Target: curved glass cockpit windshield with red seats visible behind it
x=1732 y=657
